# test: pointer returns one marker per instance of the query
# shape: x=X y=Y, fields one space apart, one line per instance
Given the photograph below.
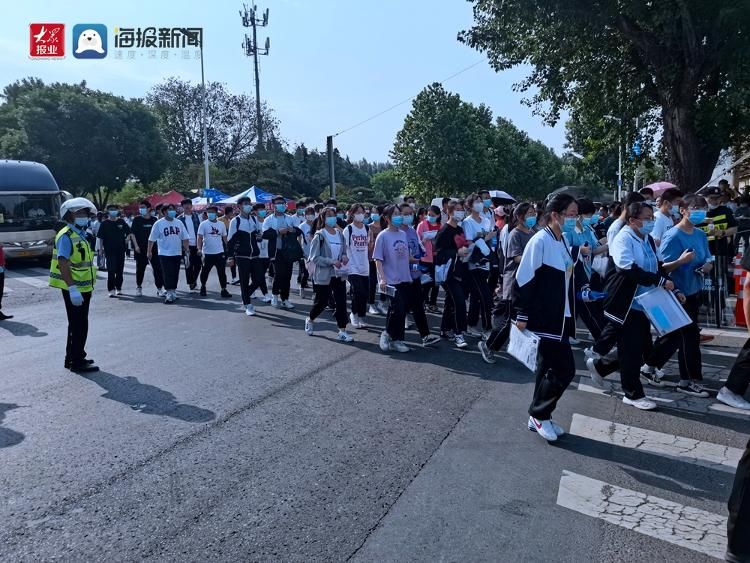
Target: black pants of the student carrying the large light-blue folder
x=633 y=345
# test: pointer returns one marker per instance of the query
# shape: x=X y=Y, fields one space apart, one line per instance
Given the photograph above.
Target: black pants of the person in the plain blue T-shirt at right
x=686 y=342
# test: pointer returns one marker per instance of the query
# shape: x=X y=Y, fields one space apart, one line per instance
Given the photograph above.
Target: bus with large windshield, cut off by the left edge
x=29 y=209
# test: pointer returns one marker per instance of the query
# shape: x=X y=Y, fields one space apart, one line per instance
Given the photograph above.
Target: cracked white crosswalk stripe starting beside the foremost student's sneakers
x=686 y=449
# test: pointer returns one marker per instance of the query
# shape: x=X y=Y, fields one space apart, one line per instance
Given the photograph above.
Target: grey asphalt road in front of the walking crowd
x=209 y=435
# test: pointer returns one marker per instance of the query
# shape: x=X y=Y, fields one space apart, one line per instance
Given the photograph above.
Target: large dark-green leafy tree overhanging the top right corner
x=678 y=65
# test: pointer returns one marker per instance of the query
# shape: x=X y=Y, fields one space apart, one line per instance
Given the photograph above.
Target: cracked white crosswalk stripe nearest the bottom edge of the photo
x=652 y=516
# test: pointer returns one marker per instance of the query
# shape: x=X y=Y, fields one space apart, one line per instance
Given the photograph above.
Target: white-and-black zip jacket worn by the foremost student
x=539 y=292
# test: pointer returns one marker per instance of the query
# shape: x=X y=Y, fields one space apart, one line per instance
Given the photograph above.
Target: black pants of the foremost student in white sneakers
x=555 y=370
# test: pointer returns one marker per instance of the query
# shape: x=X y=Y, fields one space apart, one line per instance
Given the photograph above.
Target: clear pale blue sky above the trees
x=333 y=63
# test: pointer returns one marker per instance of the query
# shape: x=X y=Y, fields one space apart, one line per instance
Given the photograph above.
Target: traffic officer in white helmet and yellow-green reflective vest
x=73 y=271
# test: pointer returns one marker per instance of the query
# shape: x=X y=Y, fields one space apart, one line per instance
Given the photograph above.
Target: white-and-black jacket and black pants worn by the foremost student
x=543 y=296
